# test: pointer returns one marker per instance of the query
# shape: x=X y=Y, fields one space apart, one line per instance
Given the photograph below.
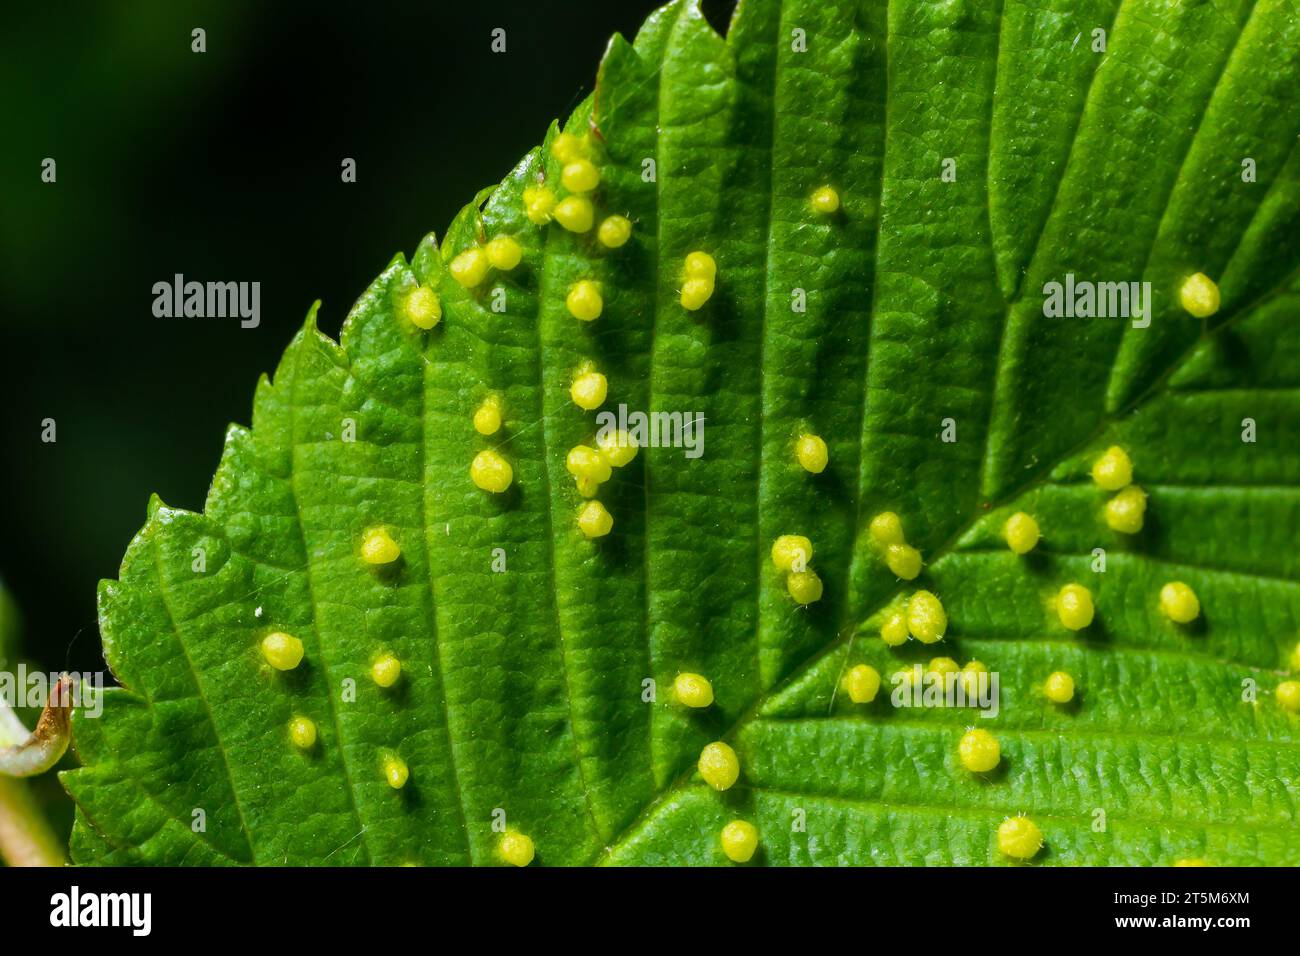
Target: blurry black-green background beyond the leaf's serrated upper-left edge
x=224 y=167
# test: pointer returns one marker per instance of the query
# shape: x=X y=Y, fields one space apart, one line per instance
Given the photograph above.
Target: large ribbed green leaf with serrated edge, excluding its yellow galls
x=522 y=691
